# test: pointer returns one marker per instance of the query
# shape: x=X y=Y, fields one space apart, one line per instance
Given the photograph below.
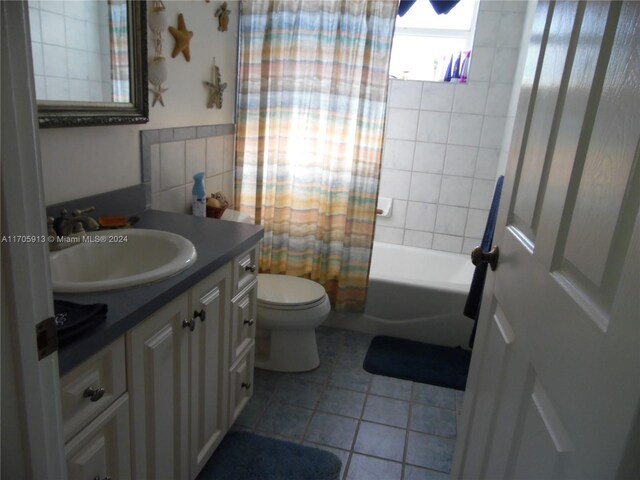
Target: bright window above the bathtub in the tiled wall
x=425 y=43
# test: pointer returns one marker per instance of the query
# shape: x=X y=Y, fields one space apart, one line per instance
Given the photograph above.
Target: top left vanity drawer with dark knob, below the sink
x=91 y=387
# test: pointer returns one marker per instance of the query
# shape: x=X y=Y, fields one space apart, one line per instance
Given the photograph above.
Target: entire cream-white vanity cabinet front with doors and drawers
x=157 y=402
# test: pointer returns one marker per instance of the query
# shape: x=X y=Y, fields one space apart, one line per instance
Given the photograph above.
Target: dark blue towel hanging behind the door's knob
x=474 y=299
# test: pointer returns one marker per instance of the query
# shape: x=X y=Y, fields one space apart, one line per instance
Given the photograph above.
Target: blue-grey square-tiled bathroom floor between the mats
x=380 y=427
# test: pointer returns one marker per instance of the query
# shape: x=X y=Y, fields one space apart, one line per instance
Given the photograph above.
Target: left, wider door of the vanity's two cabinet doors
x=158 y=376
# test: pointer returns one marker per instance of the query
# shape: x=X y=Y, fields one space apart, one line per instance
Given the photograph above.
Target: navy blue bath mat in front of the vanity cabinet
x=246 y=456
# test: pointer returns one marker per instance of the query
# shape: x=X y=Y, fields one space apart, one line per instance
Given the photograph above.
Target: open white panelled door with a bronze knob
x=554 y=384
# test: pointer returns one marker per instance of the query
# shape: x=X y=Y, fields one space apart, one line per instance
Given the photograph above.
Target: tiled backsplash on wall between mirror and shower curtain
x=171 y=156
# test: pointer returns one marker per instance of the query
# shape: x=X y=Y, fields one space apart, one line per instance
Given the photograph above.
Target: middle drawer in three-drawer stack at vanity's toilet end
x=243 y=320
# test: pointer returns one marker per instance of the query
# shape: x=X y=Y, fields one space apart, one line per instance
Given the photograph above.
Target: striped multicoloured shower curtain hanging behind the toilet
x=311 y=105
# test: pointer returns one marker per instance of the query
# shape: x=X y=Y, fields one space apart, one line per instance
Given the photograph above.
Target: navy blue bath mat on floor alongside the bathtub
x=418 y=362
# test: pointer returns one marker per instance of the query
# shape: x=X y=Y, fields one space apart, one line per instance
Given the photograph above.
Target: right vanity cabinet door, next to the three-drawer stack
x=210 y=311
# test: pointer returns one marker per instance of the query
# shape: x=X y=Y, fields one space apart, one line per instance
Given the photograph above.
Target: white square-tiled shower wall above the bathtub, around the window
x=444 y=141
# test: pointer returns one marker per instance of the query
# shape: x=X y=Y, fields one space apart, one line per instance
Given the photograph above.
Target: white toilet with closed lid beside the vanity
x=289 y=310
